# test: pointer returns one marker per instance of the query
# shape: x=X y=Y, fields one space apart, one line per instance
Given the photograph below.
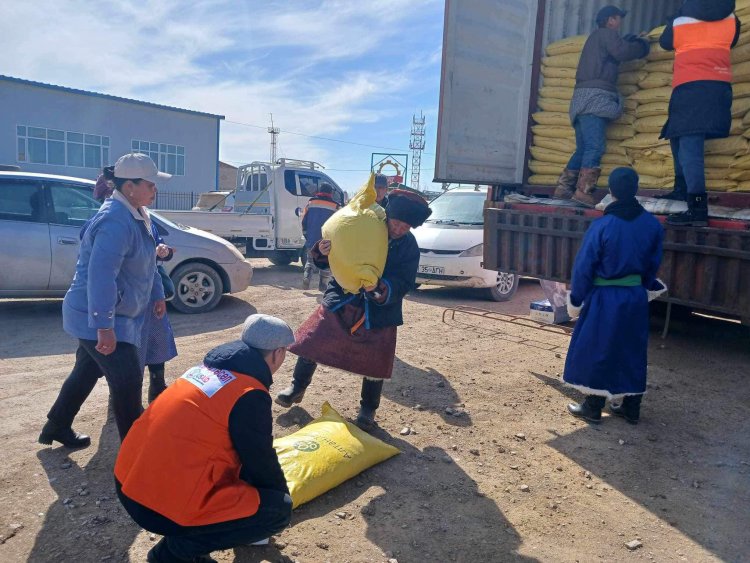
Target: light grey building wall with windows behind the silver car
x=101 y=120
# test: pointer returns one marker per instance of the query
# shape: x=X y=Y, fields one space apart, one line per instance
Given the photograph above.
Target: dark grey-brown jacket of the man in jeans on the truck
x=601 y=57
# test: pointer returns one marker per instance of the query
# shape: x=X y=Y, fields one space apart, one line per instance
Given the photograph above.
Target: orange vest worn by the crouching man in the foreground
x=178 y=459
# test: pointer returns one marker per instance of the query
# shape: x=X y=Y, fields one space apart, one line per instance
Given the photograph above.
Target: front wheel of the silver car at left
x=198 y=288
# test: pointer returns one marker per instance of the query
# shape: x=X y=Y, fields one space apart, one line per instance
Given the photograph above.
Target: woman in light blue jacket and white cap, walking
x=107 y=302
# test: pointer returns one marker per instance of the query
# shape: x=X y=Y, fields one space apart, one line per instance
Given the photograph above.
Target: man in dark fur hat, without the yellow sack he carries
x=357 y=332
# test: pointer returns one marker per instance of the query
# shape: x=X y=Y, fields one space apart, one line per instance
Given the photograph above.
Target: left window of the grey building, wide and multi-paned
x=38 y=145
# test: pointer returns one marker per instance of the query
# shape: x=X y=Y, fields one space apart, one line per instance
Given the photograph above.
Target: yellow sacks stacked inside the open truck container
x=633 y=140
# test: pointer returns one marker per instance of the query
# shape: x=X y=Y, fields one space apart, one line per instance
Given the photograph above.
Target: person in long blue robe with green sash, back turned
x=614 y=278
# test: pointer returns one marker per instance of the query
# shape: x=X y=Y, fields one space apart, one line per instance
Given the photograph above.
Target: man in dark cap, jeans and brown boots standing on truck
x=596 y=102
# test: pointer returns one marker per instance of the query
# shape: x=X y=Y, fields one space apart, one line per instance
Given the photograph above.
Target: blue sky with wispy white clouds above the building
x=344 y=69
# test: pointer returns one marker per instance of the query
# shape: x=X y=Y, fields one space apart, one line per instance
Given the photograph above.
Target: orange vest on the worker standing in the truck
x=702 y=49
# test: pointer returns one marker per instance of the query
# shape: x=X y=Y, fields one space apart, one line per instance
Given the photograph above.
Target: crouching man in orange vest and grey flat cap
x=198 y=467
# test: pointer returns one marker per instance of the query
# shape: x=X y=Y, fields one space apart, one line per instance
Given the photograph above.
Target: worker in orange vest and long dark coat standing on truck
x=702 y=36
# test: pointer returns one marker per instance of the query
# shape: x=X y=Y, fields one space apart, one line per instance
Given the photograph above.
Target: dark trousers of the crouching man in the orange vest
x=182 y=543
